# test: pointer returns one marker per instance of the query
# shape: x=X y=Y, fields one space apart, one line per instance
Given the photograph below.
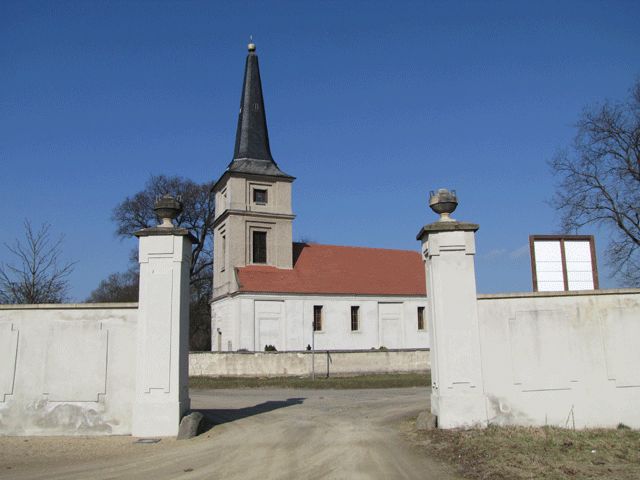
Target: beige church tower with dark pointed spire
x=253 y=224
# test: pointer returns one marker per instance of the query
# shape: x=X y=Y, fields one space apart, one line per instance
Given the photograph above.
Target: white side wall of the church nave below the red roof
x=251 y=321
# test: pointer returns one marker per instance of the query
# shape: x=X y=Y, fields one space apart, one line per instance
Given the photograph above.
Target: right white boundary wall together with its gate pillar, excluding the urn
x=553 y=358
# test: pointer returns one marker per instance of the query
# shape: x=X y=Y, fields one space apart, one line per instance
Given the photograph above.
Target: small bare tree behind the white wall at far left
x=38 y=274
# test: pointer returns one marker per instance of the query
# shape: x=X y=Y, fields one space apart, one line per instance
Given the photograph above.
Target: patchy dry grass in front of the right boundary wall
x=545 y=453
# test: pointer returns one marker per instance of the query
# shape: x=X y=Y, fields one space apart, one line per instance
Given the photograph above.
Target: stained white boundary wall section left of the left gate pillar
x=67 y=369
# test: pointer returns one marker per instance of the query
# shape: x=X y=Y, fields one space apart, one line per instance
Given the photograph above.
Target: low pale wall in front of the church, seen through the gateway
x=282 y=364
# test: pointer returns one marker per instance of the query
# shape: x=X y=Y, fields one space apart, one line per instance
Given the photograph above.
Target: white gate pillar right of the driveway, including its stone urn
x=448 y=246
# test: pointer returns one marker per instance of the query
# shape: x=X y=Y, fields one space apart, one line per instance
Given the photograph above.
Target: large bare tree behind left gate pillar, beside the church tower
x=136 y=212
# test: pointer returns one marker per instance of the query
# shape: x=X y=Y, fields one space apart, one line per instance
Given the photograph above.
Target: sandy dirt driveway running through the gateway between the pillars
x=258 y=434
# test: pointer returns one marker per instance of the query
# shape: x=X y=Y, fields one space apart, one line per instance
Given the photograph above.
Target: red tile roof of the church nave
x=329 y=269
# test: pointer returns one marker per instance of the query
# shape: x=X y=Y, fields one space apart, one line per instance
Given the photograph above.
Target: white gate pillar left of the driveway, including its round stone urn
x=162 y=357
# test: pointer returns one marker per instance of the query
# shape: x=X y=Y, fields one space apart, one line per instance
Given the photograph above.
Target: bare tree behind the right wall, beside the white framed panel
x=599 y=181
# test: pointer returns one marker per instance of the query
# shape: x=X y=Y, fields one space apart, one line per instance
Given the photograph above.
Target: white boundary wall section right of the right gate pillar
x=561 y=358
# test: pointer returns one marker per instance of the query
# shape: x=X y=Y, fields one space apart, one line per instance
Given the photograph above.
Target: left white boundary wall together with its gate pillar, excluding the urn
x=103 y=369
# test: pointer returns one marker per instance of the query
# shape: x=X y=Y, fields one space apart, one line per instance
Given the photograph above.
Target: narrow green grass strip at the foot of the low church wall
x=355 y=382
